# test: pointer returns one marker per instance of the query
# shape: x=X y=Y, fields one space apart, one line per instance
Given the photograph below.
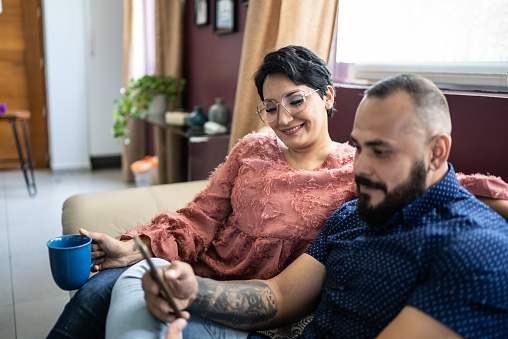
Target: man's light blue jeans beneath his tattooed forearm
x=129 y=317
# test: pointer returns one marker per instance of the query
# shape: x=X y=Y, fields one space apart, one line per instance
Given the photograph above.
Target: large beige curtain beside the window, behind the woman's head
x=271 y=25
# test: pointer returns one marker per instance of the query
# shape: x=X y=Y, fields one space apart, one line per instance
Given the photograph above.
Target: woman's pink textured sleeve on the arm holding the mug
x=186 y=233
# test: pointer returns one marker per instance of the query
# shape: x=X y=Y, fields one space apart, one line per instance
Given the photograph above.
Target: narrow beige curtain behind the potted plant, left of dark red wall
x=168 y=61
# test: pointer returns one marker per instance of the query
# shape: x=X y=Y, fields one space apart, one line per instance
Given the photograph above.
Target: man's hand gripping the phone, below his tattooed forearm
x=183 y=285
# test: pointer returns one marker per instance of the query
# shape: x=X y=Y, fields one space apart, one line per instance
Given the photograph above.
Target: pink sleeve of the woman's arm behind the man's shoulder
x=484 y=185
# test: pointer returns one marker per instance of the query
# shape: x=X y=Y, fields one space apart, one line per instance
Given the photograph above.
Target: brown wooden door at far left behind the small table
x=22 y=76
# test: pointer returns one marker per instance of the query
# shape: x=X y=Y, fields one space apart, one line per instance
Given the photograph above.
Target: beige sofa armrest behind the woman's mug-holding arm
x=118 y=211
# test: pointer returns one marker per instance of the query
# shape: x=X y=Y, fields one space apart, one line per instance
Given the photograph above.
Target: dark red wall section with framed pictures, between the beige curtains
x=211 y=61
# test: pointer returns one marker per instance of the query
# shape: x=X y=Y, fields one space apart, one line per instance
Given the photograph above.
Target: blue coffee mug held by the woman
x=70 y=259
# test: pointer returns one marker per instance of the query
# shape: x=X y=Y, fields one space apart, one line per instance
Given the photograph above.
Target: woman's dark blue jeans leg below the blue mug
x=84 y=316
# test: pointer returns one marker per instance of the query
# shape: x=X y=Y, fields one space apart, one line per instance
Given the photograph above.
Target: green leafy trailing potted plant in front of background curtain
x=137 y=97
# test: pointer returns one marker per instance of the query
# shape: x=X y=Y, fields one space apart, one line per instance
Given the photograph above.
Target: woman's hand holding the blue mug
x=110 y=252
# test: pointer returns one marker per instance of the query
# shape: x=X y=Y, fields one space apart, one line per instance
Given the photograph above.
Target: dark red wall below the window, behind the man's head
x=479 y=134
